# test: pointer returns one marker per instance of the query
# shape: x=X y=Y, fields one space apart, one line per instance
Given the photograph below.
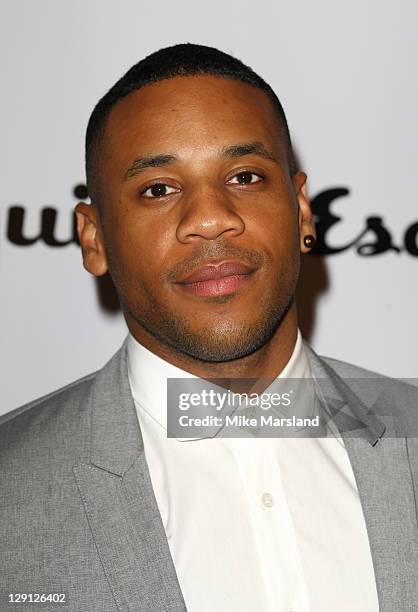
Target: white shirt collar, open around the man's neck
x=148 y=376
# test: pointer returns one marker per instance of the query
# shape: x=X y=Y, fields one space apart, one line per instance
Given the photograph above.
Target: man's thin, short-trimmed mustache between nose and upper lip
x=208 y=253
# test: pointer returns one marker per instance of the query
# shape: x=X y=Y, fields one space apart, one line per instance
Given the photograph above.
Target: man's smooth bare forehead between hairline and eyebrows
x=191 y=113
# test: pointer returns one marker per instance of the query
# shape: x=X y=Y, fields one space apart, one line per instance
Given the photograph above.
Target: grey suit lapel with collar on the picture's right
x=380 y=461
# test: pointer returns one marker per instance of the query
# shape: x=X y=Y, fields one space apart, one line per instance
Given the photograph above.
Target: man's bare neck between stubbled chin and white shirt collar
x=265 y=363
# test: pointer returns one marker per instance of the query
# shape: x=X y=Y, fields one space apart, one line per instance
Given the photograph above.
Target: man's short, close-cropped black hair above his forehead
x=185 y=59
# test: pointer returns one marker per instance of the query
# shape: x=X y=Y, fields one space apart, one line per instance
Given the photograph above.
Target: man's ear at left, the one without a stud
x=91 y=238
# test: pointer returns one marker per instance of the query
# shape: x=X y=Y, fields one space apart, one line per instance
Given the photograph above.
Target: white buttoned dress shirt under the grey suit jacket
x=255 y=525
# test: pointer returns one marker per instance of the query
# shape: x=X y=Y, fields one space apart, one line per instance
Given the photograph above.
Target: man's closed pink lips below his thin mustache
x=217 y=279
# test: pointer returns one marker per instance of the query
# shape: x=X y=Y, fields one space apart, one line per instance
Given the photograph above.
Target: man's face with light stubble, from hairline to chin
x=200 y=219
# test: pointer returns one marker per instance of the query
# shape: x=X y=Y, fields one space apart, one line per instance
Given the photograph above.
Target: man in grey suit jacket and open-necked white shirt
x=199 y=215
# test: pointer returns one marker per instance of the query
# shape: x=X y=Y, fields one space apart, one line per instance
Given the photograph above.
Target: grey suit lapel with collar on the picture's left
x=118 y=498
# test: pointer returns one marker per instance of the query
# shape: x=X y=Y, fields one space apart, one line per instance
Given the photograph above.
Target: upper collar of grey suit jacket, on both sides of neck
x=116 y=440
